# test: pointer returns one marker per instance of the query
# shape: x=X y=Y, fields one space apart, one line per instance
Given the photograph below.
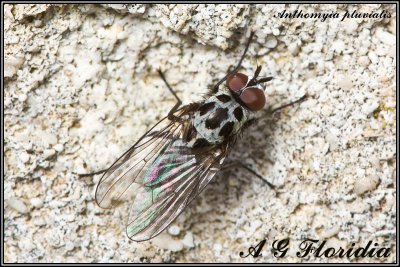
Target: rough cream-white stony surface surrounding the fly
x=81 y=87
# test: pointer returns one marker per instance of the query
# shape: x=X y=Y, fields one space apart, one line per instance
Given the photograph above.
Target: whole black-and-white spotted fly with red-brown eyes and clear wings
x=176 y=159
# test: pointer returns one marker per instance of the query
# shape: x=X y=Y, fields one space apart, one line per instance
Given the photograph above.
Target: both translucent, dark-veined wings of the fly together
x=162 y=174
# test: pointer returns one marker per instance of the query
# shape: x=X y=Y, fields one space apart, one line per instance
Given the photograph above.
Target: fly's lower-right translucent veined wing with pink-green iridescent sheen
x=175 y=178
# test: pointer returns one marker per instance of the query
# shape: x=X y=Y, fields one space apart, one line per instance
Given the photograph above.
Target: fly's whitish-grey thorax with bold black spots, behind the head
x=218 y=118
